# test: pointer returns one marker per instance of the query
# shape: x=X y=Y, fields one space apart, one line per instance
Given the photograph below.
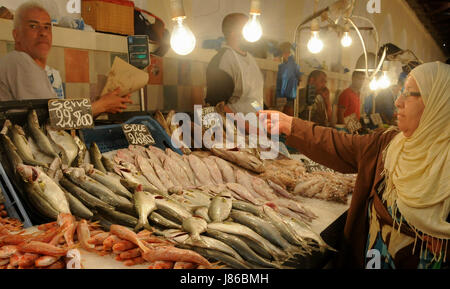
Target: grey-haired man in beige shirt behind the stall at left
x=22 y=71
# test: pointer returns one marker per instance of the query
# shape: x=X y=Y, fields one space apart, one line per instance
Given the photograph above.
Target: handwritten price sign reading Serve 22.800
x=68 y=114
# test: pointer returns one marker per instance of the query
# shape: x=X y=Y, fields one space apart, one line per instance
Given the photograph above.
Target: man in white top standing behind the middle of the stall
x=232 y=75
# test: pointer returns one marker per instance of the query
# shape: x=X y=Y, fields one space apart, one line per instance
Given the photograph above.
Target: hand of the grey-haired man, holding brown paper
x=111 y=103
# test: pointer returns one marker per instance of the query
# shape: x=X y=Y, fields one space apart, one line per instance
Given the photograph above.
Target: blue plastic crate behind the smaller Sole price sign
x=111 y=137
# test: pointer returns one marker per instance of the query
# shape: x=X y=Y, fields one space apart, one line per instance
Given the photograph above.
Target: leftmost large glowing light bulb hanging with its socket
x=182 y=39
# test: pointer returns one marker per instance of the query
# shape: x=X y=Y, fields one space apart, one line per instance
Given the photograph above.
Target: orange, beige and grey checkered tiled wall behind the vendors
x=173 y=83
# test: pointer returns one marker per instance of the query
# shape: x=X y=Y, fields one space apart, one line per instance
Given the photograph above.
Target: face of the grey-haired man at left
x=34 y=34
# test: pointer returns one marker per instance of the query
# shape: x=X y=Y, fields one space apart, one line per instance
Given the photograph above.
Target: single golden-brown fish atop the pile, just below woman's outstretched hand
x=241 y=158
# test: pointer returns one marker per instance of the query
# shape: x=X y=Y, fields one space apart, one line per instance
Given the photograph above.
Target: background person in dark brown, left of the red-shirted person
x=321 y=109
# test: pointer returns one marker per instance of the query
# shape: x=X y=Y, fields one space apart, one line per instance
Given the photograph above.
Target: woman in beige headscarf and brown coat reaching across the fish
x=399 y=213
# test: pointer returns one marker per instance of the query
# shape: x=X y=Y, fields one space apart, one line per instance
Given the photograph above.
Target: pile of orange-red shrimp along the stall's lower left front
x=47 y=248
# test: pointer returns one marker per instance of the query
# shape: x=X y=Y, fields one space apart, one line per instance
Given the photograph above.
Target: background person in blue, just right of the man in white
x=288 y=78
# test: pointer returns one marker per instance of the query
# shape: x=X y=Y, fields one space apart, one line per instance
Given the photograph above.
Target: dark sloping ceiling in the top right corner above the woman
x=435 y=16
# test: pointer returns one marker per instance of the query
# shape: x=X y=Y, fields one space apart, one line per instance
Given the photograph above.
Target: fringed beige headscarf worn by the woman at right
x=417 y=167
